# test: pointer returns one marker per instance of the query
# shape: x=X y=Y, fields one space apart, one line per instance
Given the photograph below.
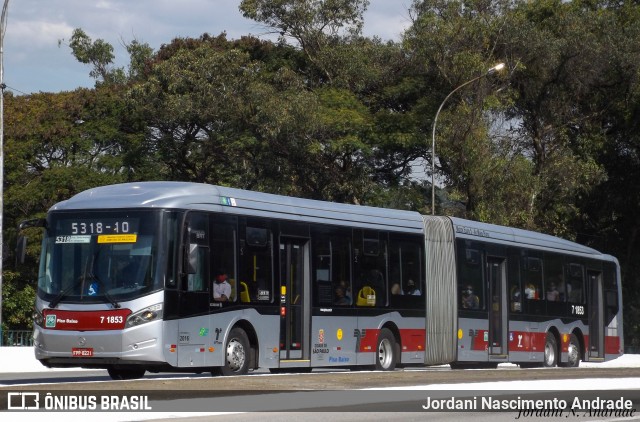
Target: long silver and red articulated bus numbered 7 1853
x=129 y=274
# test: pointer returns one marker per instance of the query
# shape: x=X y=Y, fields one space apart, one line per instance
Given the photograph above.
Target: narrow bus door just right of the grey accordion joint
x=497 y=276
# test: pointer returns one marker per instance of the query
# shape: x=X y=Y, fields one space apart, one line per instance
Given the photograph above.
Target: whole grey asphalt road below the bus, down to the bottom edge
x=334 y=396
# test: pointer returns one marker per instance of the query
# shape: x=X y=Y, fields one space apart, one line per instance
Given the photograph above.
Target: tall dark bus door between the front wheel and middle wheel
x=294 y=299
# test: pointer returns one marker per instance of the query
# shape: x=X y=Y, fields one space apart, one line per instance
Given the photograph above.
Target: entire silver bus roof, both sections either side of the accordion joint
x=199 y=196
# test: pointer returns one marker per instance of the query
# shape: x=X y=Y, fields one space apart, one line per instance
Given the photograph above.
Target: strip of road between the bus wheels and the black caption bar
x=317 y=380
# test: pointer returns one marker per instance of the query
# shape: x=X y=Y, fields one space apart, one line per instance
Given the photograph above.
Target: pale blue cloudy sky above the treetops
x=36 y=61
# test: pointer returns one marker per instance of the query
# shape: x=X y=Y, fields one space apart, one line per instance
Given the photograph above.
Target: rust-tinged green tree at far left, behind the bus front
x=56 y=146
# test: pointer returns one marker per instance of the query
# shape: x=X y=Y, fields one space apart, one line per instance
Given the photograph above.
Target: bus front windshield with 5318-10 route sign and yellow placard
x=93 y=257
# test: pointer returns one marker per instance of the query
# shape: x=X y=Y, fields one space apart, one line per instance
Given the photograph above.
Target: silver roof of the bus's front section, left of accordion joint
x=198 y=196
